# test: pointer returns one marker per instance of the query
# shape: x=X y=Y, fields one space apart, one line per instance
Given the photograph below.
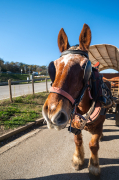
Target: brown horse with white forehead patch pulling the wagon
x=68 y=82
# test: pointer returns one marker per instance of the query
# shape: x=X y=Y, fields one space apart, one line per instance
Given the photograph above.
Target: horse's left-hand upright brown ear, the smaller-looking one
x=62 y=40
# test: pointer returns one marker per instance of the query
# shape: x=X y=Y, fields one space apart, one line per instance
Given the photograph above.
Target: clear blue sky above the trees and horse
x=29 y=28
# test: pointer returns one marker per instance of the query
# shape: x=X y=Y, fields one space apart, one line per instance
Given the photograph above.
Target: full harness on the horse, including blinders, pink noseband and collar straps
x=88 y=74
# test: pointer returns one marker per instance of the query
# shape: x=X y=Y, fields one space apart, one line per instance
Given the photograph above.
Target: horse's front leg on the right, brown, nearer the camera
x=94 y=161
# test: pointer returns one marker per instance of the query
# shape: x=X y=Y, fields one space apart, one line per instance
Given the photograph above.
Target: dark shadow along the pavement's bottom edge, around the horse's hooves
x=107 y=173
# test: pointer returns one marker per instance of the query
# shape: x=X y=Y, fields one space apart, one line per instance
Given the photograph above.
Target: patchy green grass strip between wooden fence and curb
x=24 y=109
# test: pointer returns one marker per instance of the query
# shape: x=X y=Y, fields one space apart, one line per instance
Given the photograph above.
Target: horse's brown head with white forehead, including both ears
x=68 y=75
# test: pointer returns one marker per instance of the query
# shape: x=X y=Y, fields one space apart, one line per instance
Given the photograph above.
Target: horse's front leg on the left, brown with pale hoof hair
x=78 y=156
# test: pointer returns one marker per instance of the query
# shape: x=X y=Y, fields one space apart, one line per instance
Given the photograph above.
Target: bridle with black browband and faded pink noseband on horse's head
x=87 y=74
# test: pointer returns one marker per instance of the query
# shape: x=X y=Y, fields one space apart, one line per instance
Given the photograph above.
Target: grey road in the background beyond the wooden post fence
x=22 y=89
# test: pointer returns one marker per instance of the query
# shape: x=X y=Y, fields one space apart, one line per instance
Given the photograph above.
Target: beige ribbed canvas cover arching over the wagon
x=107 y=55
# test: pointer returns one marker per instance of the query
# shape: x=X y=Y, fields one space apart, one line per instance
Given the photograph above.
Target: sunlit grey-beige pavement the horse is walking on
x=47 y=156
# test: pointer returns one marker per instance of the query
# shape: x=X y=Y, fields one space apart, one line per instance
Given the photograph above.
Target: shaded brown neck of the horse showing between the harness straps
x=84 y=105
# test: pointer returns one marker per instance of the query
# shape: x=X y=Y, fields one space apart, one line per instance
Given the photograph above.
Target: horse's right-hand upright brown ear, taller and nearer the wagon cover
x=85 y=38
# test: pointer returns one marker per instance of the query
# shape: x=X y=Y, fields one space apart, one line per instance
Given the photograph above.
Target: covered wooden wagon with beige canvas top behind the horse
x=108 y=57
